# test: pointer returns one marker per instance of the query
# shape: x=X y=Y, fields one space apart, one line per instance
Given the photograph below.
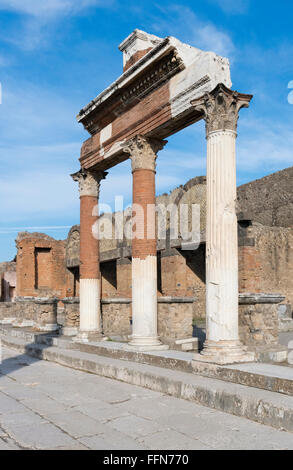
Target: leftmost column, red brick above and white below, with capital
x=90 y=277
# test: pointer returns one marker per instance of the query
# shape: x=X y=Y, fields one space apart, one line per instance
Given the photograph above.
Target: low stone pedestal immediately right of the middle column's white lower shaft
x=175 y=318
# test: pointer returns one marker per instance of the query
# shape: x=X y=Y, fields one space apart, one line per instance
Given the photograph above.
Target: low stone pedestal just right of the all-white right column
x=258 y=319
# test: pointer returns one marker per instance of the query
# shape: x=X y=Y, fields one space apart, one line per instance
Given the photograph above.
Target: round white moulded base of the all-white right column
x=224 y=352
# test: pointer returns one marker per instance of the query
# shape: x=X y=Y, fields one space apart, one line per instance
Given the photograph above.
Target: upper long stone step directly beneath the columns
x=269 y=377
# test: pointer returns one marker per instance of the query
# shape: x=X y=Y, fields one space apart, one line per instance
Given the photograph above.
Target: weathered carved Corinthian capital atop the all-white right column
x=221 y=108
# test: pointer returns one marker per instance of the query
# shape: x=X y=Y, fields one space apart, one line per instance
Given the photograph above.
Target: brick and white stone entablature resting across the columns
x=151 y=98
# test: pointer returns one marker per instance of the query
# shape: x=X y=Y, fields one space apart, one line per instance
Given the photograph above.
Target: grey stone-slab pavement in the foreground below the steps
x=47 y=406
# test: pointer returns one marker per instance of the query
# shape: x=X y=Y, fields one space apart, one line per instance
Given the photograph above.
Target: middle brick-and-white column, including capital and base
x=143 y=154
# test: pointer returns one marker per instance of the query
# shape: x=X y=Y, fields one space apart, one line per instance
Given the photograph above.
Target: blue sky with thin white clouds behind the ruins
x=56 y=55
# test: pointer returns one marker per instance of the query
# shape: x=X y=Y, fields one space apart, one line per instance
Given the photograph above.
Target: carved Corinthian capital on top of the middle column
x=143 y=152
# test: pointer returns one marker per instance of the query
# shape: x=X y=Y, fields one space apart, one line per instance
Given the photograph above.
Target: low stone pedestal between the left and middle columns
x=116 y=317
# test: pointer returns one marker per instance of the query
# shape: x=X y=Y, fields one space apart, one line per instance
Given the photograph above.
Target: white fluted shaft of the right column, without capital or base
x=221 y=239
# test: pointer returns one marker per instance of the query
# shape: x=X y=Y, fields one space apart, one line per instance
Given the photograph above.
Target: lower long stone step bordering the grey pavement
x=264 y=407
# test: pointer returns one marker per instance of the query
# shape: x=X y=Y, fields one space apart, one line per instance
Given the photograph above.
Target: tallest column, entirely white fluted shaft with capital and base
x=220 y=108
